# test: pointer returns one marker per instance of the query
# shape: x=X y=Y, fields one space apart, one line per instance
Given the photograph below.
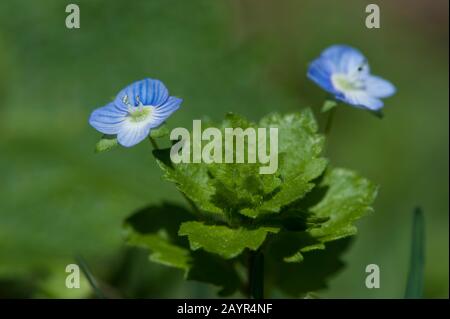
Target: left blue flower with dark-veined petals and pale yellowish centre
x=138 y=108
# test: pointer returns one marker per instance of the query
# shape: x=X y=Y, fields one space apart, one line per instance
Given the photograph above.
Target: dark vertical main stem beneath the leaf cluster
x=256 y=275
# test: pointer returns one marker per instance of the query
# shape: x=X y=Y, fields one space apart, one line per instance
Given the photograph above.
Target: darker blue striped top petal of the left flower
x=147 y=91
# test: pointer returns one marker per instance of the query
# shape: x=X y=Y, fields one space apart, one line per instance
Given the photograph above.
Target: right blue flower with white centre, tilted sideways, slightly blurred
x=344 y=72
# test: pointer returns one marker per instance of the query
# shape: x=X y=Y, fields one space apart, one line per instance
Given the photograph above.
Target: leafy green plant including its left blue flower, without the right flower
x=244 y=232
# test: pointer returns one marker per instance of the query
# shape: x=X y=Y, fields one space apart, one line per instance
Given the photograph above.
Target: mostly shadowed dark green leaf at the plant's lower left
x=150 y=228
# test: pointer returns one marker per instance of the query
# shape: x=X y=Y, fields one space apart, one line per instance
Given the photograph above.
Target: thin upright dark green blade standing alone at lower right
x=414 y=288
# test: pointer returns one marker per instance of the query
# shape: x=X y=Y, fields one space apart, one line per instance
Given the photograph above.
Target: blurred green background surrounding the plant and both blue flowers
x=58 y=199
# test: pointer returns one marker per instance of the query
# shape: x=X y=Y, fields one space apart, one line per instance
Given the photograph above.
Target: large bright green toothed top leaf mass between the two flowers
x=221 y=188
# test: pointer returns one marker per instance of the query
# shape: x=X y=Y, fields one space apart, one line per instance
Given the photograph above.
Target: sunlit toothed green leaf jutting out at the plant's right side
x=341 y=197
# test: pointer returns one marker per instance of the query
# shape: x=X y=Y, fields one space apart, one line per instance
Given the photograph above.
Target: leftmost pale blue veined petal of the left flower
x=107 y=119
